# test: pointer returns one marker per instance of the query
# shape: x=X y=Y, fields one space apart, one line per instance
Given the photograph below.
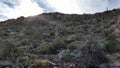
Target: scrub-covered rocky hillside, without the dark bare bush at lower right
x=51 y=39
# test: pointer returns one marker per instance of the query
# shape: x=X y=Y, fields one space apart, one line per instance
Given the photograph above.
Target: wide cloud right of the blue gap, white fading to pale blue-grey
x=79 y=6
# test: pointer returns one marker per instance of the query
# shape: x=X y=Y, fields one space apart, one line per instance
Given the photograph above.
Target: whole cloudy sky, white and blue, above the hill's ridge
x=15 y=8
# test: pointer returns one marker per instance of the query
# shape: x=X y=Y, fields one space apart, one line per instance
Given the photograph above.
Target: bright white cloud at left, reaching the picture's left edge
x=25 y=8
